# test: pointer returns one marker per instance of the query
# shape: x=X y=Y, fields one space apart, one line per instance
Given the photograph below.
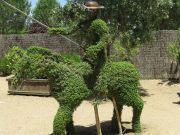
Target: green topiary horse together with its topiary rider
x=117 y=80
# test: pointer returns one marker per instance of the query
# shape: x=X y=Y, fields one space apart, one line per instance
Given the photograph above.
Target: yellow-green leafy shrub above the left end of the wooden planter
x=13 y=56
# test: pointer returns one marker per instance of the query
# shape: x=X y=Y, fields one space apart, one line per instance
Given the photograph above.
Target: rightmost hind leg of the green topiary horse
x=137 y=109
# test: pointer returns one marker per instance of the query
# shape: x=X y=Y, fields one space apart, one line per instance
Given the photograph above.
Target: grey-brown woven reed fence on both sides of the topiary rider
x=153 y=61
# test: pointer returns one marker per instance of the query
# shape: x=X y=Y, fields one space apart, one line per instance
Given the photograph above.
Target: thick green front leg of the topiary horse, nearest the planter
x=62 y=121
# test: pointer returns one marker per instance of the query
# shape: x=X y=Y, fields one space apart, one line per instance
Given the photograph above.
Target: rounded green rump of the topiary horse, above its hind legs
x=118 y=75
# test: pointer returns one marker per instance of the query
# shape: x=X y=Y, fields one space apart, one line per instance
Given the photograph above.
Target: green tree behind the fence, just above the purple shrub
x=46 y=11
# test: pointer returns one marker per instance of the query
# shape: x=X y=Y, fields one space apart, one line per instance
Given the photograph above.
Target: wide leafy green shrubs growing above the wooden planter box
x=37 y=62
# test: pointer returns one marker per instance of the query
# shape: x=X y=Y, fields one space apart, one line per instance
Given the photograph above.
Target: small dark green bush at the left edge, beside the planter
x=4 y=70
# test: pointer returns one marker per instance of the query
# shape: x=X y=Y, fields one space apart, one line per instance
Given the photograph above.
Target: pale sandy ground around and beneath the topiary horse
x=28 y=115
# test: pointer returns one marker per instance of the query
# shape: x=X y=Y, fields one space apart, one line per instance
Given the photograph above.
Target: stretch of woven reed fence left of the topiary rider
x=57 y=43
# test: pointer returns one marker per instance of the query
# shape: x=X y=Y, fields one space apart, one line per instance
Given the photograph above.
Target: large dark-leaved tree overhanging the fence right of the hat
x=135 y=17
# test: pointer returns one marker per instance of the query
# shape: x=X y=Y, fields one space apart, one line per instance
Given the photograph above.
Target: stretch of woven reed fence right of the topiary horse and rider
x=153 y=60
